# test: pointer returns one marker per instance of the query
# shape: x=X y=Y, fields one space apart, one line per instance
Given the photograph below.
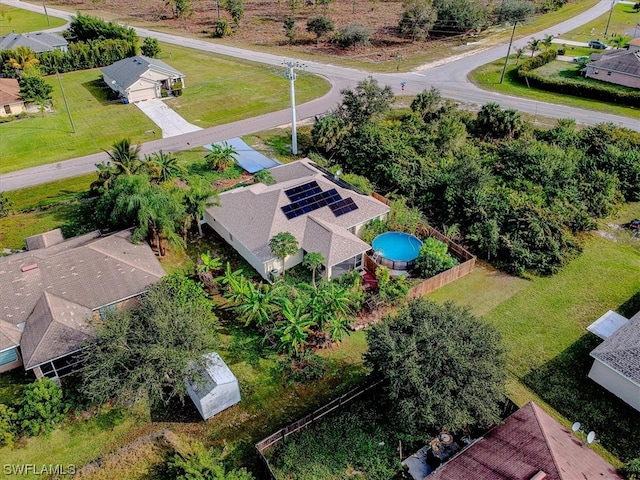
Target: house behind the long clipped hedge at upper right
x=621 y=67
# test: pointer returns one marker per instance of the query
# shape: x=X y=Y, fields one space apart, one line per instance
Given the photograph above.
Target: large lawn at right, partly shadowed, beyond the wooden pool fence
x=543 y=322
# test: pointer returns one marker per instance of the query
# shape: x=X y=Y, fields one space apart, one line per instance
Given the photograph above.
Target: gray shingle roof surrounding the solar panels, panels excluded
x=253 y=214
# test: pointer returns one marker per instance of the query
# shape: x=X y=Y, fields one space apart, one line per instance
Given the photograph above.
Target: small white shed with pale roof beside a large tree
x=214 y=388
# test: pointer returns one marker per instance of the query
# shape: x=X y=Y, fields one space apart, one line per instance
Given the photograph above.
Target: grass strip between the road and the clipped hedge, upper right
x=488 y=77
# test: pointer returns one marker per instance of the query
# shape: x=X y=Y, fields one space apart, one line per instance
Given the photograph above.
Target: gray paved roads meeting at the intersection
x=449 y=76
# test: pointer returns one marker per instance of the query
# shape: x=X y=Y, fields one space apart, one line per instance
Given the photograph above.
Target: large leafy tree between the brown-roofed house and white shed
x=148 y=351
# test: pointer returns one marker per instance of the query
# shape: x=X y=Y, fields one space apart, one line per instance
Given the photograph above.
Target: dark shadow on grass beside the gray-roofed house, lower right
x=563 y=384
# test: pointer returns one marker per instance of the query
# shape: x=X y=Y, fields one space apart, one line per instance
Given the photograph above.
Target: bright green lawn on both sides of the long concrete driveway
x=218 y=90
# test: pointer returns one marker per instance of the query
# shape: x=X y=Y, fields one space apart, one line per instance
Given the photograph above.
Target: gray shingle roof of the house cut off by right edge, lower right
x=621 y=351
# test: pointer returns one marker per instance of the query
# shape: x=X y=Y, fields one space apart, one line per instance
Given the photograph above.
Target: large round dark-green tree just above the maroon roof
x=440 y=366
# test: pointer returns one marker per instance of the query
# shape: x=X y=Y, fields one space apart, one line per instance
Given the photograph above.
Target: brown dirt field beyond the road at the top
x=263 y=24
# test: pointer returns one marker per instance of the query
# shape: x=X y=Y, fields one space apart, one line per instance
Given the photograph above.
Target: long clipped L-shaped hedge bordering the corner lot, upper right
x=595 y=91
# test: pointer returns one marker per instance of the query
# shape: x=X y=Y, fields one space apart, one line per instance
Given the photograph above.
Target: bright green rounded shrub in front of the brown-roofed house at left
x=42 y=409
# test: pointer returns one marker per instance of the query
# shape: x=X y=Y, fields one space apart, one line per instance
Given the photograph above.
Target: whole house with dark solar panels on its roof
x=319 y=210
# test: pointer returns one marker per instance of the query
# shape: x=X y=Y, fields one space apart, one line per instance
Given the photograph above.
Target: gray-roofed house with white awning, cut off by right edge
x=616 y=365
